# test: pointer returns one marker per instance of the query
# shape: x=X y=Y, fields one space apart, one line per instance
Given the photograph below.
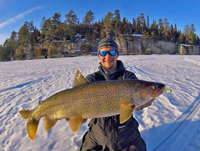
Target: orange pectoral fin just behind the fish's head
x=125 y=112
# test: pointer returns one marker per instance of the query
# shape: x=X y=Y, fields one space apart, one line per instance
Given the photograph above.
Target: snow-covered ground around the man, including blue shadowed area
x=171 y=123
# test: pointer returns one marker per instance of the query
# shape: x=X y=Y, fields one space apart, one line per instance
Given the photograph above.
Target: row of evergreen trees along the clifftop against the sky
x=71 y=29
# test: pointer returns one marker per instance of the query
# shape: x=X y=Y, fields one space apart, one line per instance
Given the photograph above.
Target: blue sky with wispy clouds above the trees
x=15 y=12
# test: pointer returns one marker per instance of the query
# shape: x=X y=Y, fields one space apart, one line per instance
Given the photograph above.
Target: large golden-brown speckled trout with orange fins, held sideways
x=91 y=100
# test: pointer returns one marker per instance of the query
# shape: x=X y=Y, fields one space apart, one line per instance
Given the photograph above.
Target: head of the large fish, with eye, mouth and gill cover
x=146 y=91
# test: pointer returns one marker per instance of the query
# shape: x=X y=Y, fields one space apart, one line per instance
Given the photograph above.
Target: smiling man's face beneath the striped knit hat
x=109 y=62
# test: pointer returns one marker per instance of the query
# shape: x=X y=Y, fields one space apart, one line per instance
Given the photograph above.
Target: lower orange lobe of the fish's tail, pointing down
x=31 y=127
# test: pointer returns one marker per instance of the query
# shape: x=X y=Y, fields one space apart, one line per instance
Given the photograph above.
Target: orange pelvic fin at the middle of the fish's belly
x=75 y=123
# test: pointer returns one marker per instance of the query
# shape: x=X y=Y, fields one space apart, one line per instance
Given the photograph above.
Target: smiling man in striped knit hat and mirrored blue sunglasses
x=107 y=134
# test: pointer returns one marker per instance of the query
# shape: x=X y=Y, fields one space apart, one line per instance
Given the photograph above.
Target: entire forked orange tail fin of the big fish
x=32 y=123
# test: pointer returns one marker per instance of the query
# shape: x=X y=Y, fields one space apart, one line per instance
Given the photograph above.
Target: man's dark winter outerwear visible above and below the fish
x=107 y=133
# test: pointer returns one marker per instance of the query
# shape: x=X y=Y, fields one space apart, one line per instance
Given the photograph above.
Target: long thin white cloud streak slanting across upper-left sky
x=18 y=17
